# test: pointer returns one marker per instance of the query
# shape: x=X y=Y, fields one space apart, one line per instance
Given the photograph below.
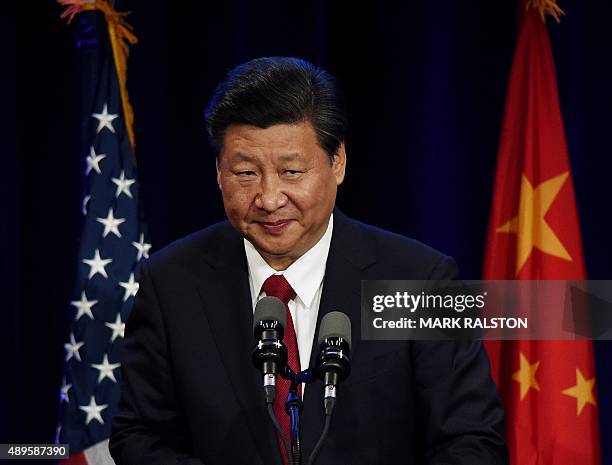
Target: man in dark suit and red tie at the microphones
x=190 y=392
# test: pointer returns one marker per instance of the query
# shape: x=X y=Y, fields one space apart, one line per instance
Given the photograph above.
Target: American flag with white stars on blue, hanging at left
x=112 y=244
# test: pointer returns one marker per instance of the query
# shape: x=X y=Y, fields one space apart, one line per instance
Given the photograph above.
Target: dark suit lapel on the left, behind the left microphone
x=230 y=314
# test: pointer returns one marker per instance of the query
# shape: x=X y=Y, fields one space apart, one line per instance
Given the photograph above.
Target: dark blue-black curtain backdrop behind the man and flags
x=426 y=84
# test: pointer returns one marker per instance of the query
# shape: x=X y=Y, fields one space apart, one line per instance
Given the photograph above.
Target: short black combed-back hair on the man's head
x=279 y=90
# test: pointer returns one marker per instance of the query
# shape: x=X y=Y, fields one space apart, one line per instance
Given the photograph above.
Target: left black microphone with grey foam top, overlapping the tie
x=269 y=353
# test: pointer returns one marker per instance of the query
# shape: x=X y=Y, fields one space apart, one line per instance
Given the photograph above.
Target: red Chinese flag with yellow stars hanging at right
x=548 y=387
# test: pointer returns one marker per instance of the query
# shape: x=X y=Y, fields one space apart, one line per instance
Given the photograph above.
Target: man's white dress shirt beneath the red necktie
x=305 y=276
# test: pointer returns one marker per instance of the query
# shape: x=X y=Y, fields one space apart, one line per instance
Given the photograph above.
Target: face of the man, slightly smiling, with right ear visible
x=279 y=187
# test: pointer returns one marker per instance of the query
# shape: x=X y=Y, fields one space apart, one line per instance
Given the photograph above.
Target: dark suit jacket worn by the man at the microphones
x=192 y=396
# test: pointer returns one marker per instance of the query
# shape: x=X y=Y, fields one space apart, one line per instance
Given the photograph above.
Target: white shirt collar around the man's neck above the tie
x=305 y=275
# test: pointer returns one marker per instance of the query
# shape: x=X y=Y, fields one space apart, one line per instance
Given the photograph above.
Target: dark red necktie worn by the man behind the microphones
x=277 y=286
